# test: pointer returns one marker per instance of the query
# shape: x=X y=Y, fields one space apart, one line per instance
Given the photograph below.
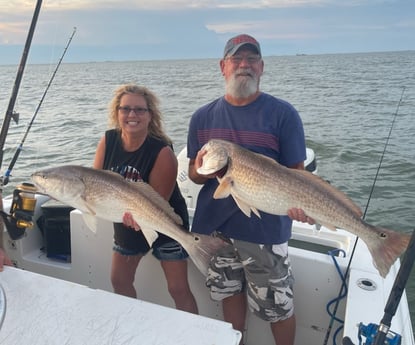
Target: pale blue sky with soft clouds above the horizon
x=116 y=30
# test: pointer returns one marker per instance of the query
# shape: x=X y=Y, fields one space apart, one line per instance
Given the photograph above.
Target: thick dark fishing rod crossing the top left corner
x=10 y=109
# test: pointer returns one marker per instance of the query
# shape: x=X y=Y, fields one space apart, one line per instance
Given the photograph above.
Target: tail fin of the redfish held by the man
x=387 y=248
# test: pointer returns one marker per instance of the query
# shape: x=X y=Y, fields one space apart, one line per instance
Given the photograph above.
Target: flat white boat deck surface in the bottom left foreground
x=44 y=310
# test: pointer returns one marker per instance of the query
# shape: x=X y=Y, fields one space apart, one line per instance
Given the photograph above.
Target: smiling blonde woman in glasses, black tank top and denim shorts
x=137 y=148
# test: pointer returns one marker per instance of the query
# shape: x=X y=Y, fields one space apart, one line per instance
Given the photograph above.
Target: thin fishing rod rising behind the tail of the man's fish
x=333 y=316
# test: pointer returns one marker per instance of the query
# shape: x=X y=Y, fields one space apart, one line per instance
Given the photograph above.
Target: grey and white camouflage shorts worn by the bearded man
x=264 y=271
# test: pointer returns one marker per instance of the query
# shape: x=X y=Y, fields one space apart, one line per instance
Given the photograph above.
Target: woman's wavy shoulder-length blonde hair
x=155 y=128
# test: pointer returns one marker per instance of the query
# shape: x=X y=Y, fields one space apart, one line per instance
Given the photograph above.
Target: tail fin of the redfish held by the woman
x=203 y=249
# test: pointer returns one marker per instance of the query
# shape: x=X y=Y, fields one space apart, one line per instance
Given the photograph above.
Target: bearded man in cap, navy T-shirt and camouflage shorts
x=257 y=269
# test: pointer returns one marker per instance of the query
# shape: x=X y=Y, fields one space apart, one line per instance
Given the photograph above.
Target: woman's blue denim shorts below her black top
x=170 y=251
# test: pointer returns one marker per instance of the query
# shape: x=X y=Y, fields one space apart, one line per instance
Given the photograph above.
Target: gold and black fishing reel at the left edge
x=21 y=211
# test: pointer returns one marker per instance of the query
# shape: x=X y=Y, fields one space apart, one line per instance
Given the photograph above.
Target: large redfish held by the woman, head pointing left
x=107 y=195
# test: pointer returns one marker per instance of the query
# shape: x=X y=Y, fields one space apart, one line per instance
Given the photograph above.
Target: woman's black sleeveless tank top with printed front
x=137 y=166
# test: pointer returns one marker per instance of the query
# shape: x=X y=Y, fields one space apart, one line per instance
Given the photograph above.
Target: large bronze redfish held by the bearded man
x=257 y=182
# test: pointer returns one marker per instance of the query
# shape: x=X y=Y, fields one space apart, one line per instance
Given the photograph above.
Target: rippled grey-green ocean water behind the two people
x=358 y=110
